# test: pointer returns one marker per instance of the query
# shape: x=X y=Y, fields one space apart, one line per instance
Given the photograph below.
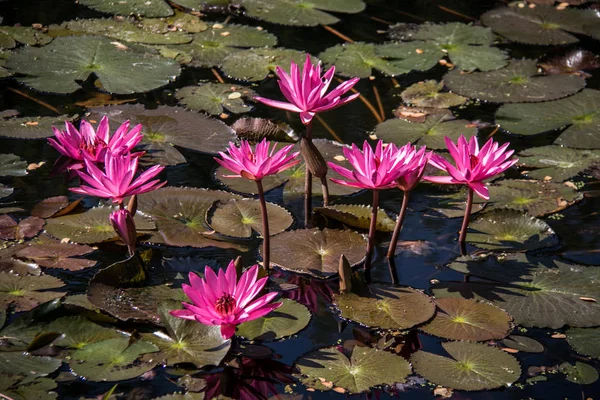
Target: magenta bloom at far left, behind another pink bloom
x=89 y=144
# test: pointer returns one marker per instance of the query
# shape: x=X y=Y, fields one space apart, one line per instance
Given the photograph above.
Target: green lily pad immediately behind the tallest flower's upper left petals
x=257 y=64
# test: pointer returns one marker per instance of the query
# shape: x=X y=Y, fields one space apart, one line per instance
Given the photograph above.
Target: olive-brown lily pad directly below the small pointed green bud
x=386 y=307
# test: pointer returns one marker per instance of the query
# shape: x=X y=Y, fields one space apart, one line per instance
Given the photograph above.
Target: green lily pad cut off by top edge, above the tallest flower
x=300 y=13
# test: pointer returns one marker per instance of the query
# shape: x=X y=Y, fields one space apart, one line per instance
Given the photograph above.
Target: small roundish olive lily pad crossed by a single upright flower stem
x=240 y=217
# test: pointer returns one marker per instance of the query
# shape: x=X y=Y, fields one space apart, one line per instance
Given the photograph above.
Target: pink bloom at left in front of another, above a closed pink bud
x=116 y=181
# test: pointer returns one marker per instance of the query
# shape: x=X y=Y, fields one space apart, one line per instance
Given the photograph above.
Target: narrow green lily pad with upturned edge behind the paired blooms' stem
x=357 y=216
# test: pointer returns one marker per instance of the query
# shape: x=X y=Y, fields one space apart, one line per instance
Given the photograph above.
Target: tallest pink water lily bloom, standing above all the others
x=306 y=92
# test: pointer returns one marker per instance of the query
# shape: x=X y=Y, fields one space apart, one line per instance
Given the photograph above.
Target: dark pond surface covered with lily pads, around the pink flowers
x=70 y=332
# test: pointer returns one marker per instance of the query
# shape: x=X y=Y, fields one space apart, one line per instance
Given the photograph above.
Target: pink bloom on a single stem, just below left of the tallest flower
x=258 y=163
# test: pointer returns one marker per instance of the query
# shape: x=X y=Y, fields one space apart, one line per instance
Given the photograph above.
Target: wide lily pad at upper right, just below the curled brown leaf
x=516 y=83
